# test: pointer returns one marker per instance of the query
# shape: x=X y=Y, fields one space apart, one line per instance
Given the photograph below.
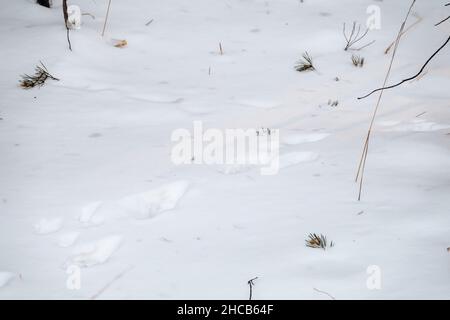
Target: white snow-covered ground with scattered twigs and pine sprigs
x=86 y=178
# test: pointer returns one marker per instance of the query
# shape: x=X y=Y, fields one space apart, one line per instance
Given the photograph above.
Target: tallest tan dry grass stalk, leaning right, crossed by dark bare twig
x=363 y=159
